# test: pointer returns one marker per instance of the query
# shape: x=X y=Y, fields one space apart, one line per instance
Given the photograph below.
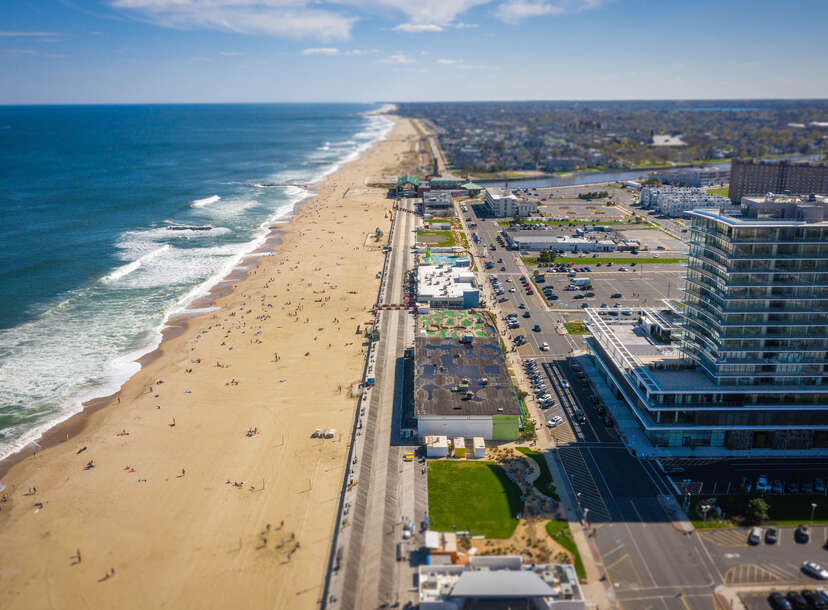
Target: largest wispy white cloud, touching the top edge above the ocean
x=290 y=18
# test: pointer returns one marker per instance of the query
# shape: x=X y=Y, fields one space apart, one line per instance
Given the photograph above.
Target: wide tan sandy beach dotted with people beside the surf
x=199 y=485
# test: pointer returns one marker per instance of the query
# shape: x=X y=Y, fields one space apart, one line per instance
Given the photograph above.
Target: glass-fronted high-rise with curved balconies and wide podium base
x=751 y=369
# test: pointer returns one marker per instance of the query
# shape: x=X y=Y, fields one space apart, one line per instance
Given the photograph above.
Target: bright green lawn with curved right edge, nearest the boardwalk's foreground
x=473 y=496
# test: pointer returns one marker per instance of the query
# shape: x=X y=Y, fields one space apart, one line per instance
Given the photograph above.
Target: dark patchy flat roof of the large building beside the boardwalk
x=441 y=365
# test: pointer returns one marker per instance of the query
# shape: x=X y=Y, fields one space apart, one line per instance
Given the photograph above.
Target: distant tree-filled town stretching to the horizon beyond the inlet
x=488 y=139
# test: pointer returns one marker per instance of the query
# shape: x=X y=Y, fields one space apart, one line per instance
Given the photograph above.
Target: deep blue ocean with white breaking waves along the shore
x=98 y=246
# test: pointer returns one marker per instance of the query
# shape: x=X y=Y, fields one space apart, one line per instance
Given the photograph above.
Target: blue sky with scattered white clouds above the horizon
x=156 y=51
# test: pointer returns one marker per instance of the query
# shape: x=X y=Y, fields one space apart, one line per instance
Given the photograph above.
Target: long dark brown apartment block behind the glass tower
x=760 y=177
